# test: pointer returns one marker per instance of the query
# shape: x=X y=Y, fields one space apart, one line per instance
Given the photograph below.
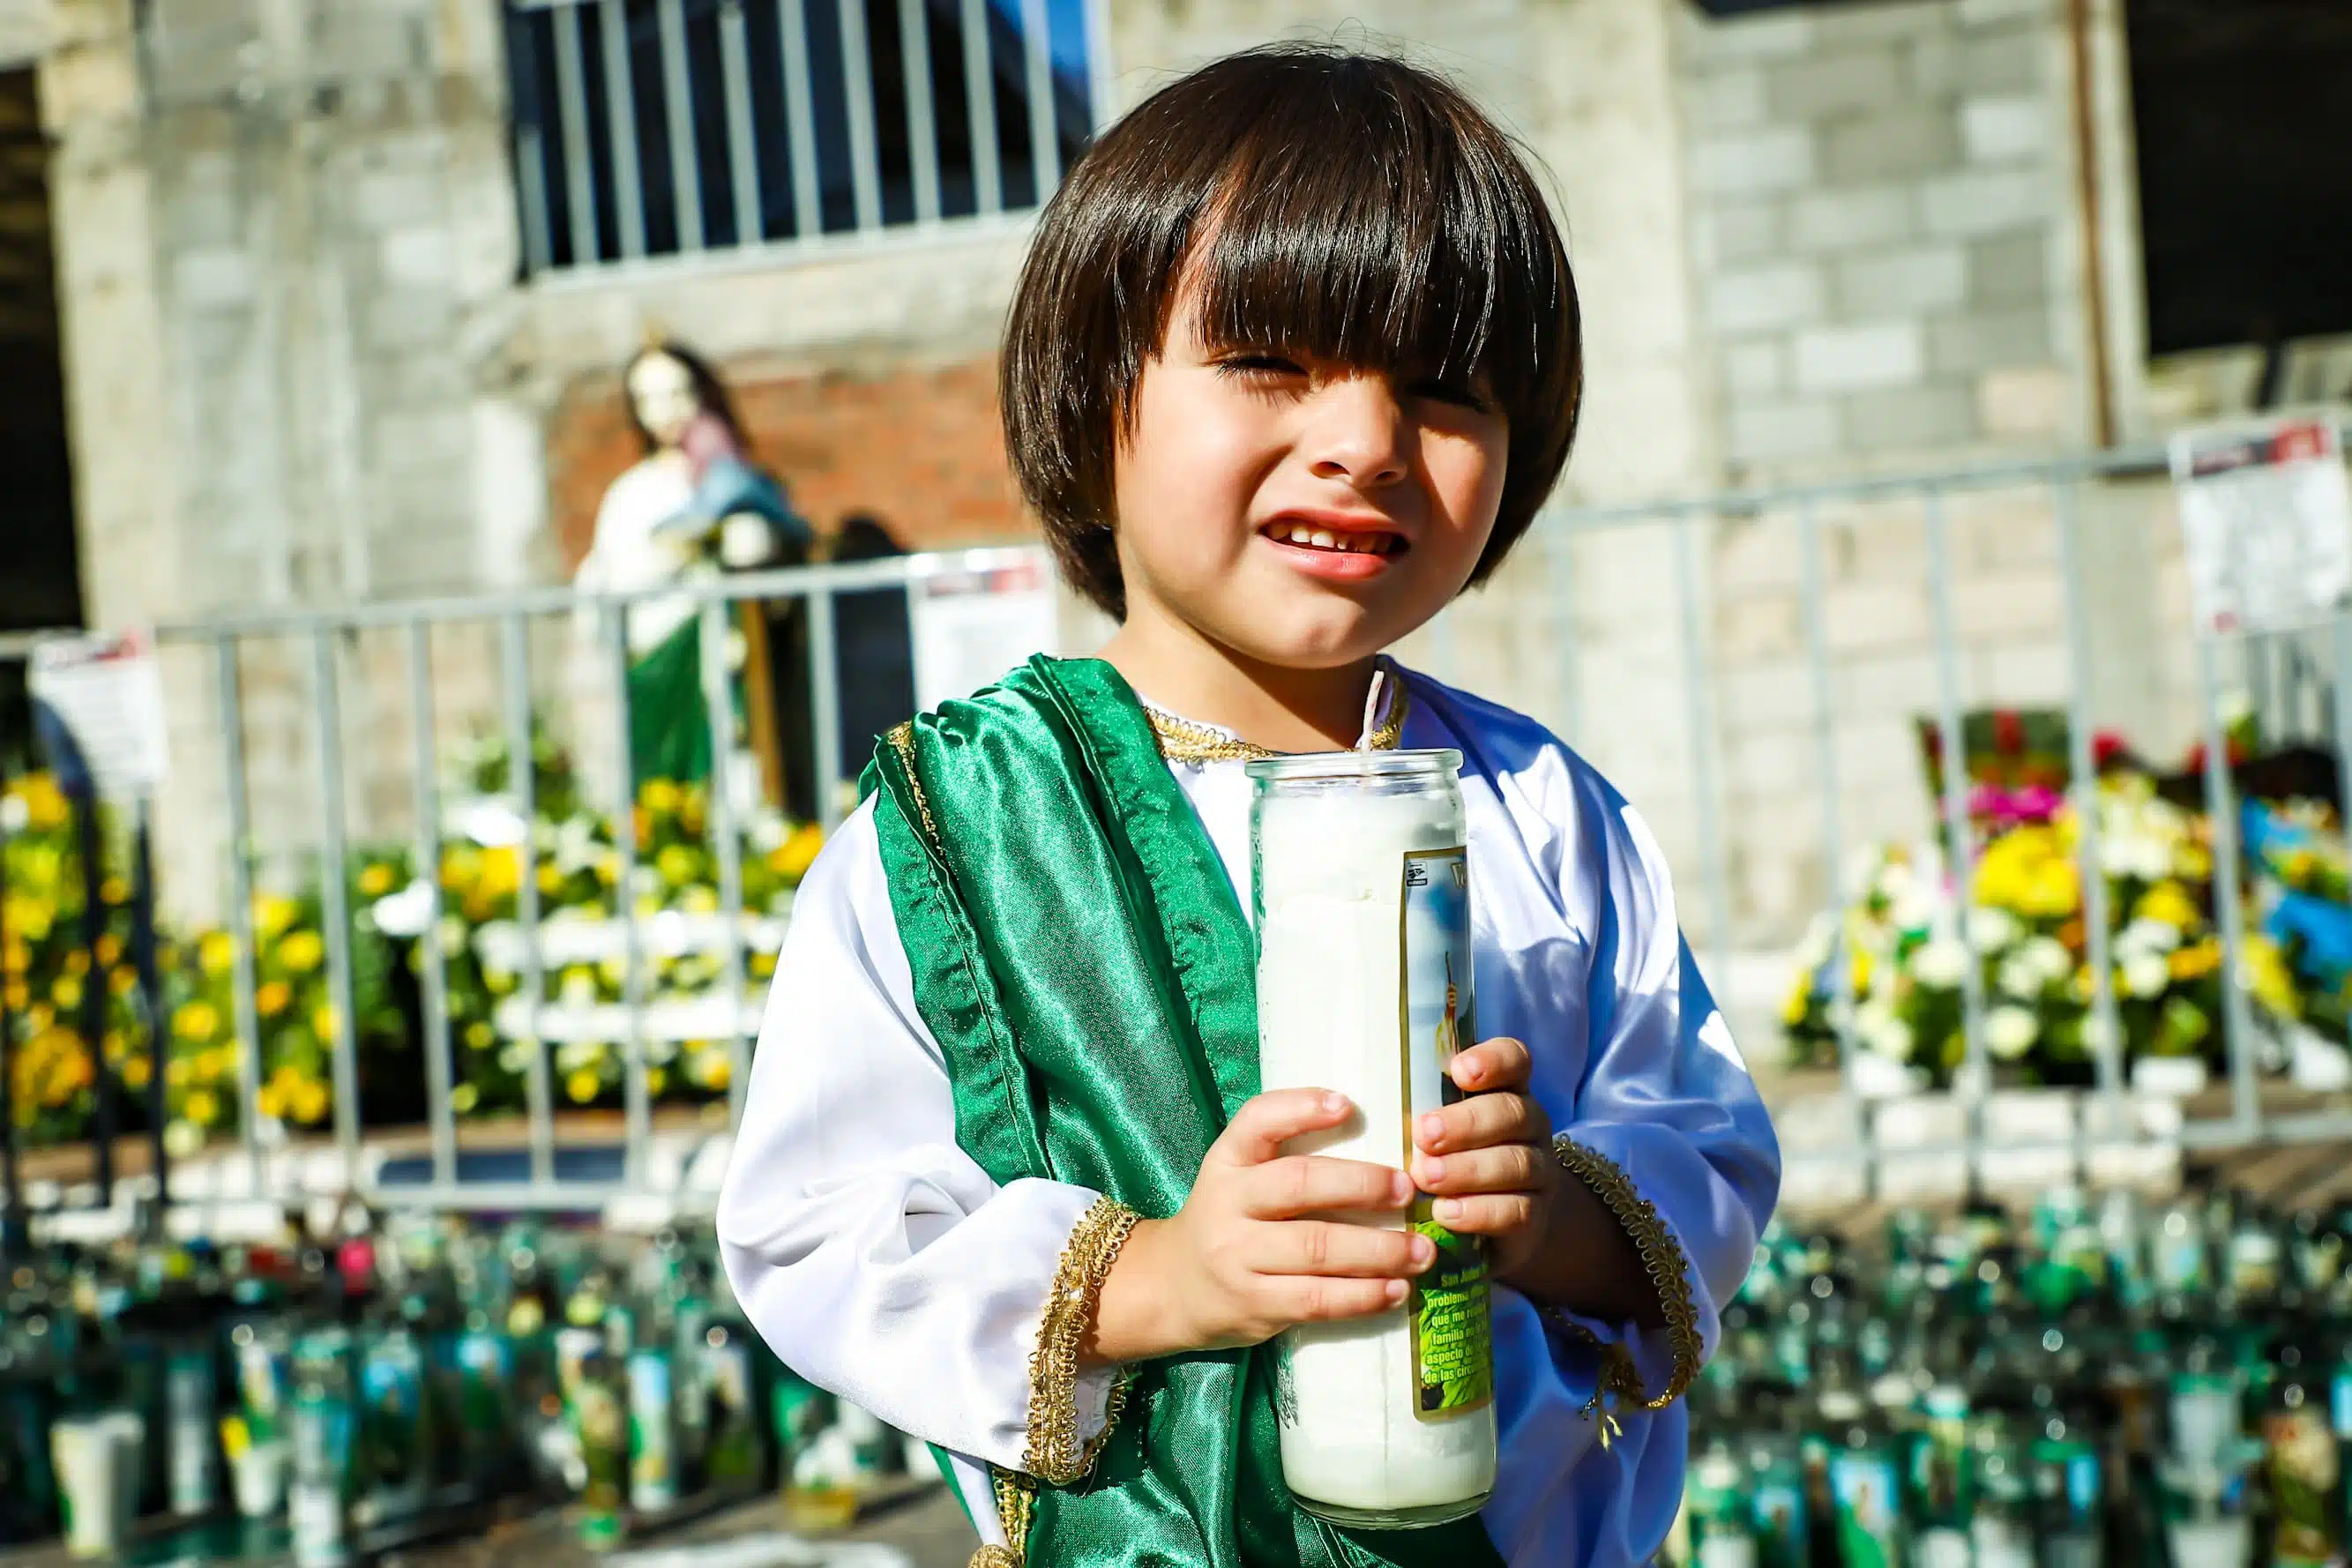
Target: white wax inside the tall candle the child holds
x=1330 y=890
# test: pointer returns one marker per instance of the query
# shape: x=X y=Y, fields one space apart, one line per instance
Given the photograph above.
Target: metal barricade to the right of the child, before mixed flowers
x=2297 y=683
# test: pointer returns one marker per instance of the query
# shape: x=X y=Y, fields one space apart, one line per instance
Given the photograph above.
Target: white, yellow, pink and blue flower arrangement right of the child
x=1909 y=944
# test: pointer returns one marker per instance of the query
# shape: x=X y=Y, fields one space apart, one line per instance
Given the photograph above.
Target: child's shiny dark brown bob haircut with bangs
x=1347 y=208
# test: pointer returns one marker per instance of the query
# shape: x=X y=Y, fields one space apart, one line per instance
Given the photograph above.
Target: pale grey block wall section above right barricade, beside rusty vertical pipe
x=1878 y=229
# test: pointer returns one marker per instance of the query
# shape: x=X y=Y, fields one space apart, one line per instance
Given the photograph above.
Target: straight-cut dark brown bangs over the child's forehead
x=1361 y=229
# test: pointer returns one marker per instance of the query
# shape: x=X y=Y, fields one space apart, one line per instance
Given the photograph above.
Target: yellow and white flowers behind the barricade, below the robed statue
x=577 y=869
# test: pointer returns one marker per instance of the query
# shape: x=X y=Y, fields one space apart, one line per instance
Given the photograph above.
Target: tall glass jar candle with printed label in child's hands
x=1363 y=913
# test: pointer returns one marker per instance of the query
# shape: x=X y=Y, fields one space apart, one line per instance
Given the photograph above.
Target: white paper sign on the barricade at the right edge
x=2266 y=516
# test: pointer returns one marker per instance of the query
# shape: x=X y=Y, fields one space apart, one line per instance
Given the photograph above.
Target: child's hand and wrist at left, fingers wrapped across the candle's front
x=1245 y=1261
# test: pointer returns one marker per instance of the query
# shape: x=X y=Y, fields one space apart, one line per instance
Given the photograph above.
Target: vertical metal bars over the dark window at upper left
x=697 y=126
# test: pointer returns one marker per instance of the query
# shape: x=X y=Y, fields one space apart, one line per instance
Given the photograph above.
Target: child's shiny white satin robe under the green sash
x=886 y=1266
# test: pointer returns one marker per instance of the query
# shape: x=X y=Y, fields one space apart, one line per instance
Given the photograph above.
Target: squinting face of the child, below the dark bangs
x=1299 y=514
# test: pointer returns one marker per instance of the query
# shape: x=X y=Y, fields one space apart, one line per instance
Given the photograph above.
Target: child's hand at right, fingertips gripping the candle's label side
x=1490 y=1158
